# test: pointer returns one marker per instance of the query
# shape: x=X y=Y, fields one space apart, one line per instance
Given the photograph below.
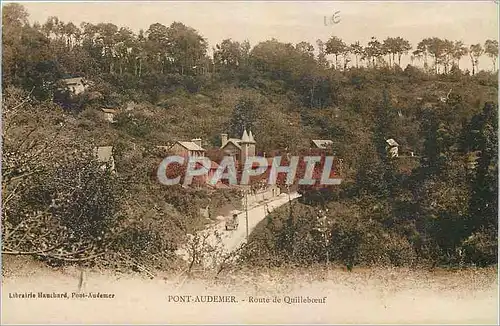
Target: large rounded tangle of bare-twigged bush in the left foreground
x=66 y=213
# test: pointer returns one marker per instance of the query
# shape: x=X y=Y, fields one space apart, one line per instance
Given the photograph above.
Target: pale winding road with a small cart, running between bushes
x=233 y=239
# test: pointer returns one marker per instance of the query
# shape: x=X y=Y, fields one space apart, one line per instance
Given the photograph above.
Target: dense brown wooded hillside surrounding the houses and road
x=436 y=207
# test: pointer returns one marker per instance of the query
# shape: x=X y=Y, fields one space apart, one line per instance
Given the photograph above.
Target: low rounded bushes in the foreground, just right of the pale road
x=352 y=239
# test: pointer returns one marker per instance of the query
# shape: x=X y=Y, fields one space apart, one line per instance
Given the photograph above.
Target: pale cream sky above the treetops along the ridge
x=287 y=21
